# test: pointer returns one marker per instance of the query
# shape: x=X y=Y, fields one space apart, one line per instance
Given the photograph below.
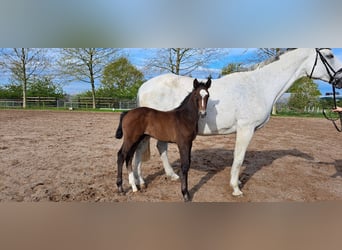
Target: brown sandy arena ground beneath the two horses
x=71 y=156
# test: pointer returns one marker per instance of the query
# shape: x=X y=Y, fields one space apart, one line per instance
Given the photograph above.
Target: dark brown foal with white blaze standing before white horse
x=176 y=126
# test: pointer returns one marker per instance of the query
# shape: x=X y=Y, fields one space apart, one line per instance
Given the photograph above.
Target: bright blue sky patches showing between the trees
x=139 y=56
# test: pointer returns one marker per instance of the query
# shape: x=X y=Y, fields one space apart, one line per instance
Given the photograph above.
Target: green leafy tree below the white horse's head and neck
x=304 y=92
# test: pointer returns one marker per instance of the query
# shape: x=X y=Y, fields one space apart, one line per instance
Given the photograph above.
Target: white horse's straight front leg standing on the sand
x=243 y=138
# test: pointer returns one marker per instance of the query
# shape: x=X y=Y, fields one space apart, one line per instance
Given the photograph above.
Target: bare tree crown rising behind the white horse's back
x=182 y=61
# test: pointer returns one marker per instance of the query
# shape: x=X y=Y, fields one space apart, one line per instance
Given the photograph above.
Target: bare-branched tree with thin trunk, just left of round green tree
x=85 y=64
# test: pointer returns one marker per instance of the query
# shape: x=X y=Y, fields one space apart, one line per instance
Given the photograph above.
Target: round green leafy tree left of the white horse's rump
x=120 y=79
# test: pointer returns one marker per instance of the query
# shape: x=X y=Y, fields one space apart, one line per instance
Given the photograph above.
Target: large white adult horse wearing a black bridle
x=239 y=102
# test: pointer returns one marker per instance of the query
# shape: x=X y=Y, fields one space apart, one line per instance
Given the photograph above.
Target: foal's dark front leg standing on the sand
x=185 y=157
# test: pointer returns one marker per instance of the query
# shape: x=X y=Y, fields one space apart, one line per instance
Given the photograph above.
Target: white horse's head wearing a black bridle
x=323 y=65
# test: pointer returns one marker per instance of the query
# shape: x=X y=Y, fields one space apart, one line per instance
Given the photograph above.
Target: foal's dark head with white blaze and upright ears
x=201 y=95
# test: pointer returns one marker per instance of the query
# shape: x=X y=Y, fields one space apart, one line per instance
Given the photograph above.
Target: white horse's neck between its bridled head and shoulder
x=278 y=76
